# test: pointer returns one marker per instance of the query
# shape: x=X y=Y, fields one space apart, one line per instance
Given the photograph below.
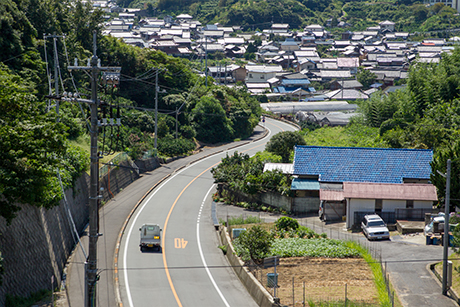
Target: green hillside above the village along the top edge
x=409 y=15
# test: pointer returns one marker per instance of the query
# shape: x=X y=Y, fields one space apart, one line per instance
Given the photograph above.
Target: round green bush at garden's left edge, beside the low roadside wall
x=255 y=243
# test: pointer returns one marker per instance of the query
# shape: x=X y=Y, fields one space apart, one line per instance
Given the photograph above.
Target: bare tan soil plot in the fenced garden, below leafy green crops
x=324 y=279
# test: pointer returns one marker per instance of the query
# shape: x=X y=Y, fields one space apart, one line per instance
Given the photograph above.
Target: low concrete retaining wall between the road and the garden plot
x=257 y=291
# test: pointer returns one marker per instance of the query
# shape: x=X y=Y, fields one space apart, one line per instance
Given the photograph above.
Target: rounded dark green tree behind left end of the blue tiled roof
x=282 y=144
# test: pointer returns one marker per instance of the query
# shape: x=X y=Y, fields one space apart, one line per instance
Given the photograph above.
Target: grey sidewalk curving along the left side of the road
x=111 y=220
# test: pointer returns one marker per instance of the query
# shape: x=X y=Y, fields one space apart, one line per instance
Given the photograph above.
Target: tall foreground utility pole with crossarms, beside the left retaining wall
x=91 y=276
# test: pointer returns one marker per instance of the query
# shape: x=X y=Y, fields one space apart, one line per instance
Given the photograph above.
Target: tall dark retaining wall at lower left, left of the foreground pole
x=38 y=242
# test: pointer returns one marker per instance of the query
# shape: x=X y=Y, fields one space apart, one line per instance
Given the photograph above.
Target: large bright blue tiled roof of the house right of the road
x=354 y=164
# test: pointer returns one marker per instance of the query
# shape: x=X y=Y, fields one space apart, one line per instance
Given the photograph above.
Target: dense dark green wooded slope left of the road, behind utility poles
x=36 y=143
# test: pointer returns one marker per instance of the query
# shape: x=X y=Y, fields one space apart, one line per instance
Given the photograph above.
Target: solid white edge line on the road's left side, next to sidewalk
x=125 y=252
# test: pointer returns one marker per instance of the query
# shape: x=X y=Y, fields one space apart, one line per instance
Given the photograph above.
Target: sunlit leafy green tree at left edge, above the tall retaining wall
x=32 y=147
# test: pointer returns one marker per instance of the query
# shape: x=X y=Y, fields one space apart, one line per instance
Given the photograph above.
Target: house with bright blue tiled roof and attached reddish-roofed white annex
x=365 y=180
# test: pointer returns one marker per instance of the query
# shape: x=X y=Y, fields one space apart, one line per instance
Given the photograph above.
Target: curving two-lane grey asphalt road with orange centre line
x=191 y=270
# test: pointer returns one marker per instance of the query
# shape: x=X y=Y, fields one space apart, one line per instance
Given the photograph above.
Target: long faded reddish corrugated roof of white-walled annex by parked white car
x=407 y=191
